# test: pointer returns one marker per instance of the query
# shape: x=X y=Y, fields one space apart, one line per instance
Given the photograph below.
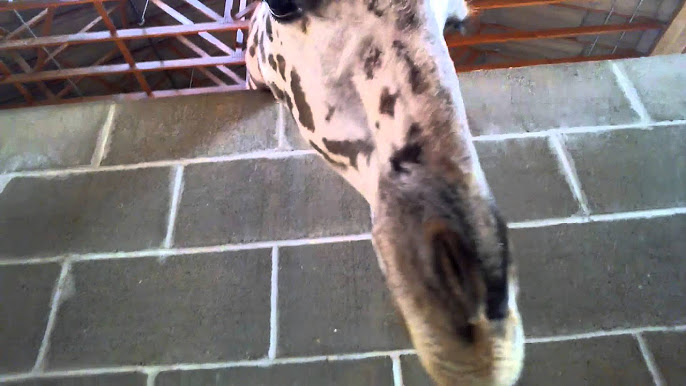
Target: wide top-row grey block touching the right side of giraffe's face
x=544 y=97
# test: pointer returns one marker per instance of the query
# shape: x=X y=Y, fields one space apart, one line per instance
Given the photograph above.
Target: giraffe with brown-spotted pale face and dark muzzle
x=373 y=90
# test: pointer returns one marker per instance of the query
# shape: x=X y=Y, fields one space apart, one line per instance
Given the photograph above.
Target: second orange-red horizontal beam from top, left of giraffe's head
x=124 y=34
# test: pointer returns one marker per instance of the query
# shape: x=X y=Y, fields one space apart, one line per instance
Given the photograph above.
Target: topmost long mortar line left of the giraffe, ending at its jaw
x=262 y=154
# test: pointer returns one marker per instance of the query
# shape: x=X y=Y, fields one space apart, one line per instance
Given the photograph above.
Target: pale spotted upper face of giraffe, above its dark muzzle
x=371 y=102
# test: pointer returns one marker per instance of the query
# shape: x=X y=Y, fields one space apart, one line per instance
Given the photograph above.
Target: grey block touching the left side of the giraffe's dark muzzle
x=332 y=299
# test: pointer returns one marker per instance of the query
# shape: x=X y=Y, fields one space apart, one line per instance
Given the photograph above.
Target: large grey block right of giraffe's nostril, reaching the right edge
x=579 y=278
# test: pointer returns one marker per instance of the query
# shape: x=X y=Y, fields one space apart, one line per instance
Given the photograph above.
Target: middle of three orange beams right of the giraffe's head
x=456 y=40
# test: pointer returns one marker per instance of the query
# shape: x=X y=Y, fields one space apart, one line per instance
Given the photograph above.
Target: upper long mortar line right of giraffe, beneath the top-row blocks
x=577 y=130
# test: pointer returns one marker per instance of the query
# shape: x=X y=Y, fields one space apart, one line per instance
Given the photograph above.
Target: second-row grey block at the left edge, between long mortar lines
x=86 y=212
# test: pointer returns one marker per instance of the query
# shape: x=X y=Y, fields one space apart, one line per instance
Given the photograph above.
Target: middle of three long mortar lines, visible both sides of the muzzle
x=610 y=217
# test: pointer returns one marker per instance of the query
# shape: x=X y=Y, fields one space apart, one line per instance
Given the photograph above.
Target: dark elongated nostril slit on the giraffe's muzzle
x=456 y=268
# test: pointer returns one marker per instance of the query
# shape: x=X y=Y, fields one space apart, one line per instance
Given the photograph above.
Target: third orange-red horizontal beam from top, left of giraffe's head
x=123 y=68
